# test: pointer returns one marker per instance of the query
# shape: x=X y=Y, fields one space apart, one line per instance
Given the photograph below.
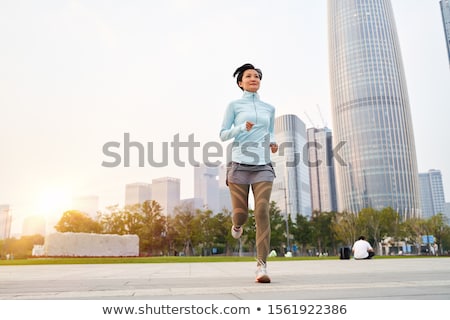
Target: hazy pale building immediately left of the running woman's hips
x=206 y=186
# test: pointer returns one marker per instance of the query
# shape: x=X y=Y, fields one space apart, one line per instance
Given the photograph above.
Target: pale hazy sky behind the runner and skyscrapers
x=78 y=78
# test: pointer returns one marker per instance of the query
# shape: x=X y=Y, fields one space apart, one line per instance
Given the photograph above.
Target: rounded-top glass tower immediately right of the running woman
x=291 y=190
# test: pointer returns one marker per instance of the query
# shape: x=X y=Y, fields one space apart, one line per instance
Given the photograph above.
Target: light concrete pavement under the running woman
x=380 y=279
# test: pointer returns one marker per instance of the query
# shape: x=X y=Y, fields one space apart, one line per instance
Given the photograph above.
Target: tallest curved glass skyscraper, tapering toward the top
x=370 y=109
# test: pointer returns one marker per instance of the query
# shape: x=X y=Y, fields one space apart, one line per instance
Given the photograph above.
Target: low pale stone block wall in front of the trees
x=90 y=245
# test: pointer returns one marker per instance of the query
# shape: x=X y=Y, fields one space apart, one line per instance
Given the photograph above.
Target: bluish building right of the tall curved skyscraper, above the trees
x=432 y=193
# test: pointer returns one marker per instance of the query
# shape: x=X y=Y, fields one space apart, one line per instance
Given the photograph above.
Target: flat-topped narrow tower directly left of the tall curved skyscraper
x=321 y=170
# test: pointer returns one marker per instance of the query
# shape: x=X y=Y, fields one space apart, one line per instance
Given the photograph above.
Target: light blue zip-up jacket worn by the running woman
x=249 y=147
